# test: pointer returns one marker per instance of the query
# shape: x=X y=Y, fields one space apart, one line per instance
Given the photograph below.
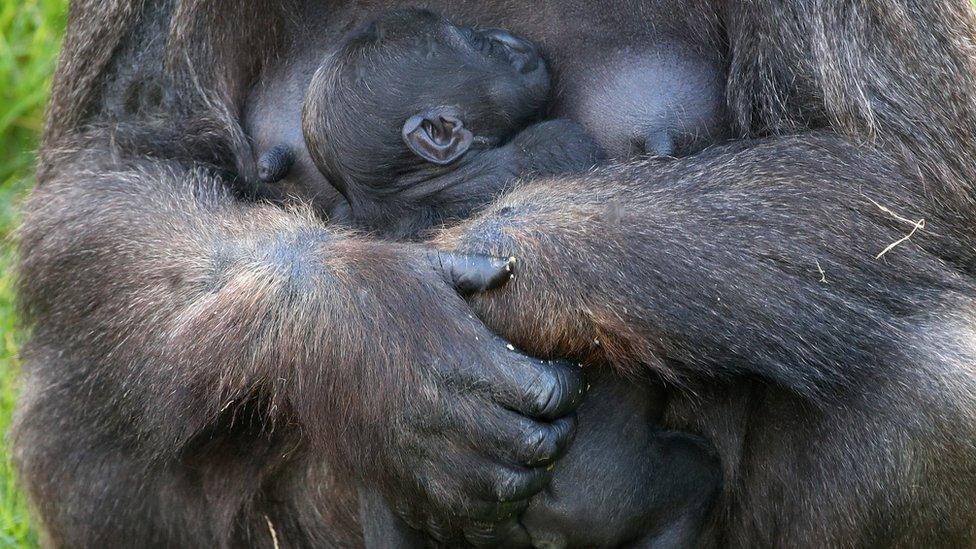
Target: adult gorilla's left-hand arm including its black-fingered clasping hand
x=160 y=303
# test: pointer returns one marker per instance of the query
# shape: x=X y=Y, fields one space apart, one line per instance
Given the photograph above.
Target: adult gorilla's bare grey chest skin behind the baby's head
x=616 y=64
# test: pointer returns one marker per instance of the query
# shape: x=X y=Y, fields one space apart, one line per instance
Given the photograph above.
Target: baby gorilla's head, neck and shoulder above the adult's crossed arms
x=418 y=122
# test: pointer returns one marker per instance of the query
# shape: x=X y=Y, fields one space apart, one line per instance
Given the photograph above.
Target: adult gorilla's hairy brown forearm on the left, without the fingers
x=152 y=271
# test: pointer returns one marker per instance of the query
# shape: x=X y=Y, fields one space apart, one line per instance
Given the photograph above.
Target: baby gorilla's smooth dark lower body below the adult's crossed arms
x=624 y=481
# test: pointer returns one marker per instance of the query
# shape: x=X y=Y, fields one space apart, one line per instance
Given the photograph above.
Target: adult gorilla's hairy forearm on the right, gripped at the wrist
x=791 y=290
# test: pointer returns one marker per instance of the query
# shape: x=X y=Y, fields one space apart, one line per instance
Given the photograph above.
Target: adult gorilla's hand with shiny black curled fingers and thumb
x=479 y=424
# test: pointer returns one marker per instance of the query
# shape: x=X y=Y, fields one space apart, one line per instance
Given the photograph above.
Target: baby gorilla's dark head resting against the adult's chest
x=408 y=95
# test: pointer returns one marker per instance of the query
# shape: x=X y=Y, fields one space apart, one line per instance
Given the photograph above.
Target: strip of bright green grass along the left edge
x=30 y=33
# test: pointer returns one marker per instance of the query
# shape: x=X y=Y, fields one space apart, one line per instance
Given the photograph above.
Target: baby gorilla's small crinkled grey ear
x=437 y=135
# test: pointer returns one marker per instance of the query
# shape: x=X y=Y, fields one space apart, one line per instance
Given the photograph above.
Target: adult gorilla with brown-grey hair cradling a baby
x=203 y=371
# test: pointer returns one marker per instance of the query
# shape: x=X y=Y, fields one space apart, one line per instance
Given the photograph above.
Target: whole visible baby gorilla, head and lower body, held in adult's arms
x=418 y=122
